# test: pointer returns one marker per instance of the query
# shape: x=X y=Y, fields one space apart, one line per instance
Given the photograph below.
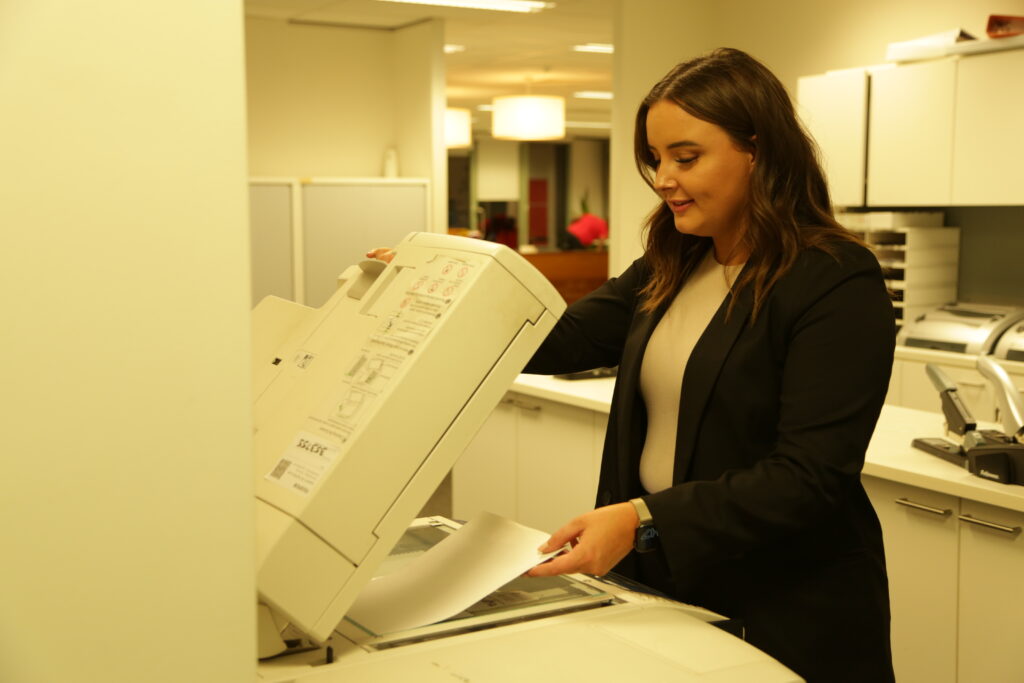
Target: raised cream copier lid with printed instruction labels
x=362 y=407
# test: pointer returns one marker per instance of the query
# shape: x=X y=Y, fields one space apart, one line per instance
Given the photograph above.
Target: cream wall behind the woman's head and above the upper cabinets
x=793 y=37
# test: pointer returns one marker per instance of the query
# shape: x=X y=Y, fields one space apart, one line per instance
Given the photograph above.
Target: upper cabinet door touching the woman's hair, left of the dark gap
x=834 y=108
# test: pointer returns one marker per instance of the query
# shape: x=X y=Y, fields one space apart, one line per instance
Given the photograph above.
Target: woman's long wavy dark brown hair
x=789 y=208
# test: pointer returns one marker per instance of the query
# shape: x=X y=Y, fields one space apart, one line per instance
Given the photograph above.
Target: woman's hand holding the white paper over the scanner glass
x=601 y=539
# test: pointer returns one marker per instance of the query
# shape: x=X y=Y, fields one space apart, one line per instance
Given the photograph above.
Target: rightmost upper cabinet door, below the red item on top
x=989 y=143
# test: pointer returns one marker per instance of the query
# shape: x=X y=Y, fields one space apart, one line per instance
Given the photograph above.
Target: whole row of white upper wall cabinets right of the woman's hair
x=943 y=133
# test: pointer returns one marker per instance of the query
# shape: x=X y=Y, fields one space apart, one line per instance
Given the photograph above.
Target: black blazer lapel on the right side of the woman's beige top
x=702 y=372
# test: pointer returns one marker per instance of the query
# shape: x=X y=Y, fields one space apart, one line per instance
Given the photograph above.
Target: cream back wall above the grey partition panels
x=328 y=101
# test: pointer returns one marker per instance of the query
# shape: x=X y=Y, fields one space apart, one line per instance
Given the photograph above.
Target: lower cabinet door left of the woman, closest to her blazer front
x=558 y=474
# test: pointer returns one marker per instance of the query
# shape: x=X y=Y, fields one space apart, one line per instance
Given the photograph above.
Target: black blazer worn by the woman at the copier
x=767 y=522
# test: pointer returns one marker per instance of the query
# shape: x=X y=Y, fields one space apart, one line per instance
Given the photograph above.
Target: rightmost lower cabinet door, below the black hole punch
x=992 y=594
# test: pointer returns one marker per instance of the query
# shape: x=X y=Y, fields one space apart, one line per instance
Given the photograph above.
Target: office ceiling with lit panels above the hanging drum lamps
x=506 y=53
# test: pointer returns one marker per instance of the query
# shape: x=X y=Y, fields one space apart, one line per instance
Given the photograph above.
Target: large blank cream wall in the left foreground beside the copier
x=126 y=496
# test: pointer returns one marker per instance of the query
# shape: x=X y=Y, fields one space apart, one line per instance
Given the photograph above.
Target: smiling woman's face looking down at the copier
x=702 y=176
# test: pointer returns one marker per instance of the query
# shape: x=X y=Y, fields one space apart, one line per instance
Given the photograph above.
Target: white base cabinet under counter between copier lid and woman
x=534 y=461
